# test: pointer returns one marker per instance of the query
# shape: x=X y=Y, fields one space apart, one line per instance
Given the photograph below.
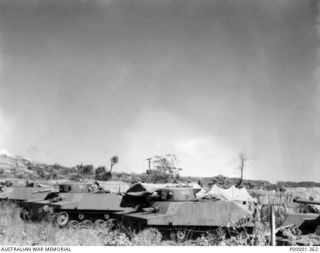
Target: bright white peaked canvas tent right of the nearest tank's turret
x=231 y=194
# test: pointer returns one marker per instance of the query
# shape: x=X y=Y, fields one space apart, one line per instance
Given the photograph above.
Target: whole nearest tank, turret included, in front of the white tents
x=178 y=214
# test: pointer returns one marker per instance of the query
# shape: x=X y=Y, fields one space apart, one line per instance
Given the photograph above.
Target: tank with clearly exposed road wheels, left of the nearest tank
x=74 y=204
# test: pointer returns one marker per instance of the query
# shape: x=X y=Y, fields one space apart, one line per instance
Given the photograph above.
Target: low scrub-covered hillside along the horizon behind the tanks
x=20 y=167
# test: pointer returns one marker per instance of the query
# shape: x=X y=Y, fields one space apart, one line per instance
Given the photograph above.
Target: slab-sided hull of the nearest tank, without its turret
x=181 y=218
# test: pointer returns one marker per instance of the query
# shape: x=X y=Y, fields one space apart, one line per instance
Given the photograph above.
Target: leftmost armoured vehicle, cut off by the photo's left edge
x=19 y=190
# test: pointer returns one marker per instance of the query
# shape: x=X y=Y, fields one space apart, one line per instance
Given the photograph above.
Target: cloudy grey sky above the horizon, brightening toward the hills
x=81 y=81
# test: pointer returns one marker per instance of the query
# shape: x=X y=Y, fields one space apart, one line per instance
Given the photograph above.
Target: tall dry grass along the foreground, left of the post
x=14 y=231
